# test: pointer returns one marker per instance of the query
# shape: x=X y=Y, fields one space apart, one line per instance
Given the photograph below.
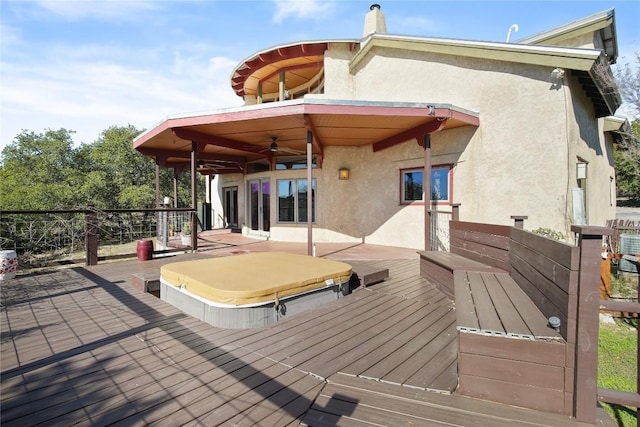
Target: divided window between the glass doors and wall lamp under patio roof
x=292 y=200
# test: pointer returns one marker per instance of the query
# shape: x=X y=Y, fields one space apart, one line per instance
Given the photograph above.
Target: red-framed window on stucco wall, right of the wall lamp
x=413 y=183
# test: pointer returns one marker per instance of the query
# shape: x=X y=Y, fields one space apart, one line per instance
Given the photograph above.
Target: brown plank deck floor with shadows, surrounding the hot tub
x=82 y=346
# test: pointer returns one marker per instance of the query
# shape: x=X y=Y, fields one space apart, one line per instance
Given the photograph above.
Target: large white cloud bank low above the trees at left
x=88 y=96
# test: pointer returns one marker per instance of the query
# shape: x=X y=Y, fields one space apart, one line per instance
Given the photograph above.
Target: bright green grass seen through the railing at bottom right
x=617 y=366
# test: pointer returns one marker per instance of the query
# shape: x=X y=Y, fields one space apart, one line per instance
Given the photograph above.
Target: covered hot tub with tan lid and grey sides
x=252 y=290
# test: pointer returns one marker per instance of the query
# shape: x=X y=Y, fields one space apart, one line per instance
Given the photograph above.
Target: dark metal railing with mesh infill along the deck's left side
x=42 y=238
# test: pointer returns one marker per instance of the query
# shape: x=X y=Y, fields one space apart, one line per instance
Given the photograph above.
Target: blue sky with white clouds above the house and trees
x=86 y=65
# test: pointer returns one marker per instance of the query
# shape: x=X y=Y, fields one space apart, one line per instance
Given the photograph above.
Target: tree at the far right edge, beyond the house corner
x=627 y=154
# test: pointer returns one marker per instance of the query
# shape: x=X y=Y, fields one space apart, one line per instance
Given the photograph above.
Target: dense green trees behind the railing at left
x=46 y=172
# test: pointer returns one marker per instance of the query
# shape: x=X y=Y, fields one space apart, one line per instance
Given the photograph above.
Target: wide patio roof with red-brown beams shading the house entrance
x=232 y=137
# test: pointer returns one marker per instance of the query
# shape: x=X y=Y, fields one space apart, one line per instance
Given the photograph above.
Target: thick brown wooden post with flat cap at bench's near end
x=587 y=322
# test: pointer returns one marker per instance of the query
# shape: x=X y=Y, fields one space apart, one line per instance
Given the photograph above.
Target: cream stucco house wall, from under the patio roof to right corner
x=519 y=161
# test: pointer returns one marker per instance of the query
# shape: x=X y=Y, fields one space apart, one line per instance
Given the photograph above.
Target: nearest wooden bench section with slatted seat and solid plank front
x=507 y=351
